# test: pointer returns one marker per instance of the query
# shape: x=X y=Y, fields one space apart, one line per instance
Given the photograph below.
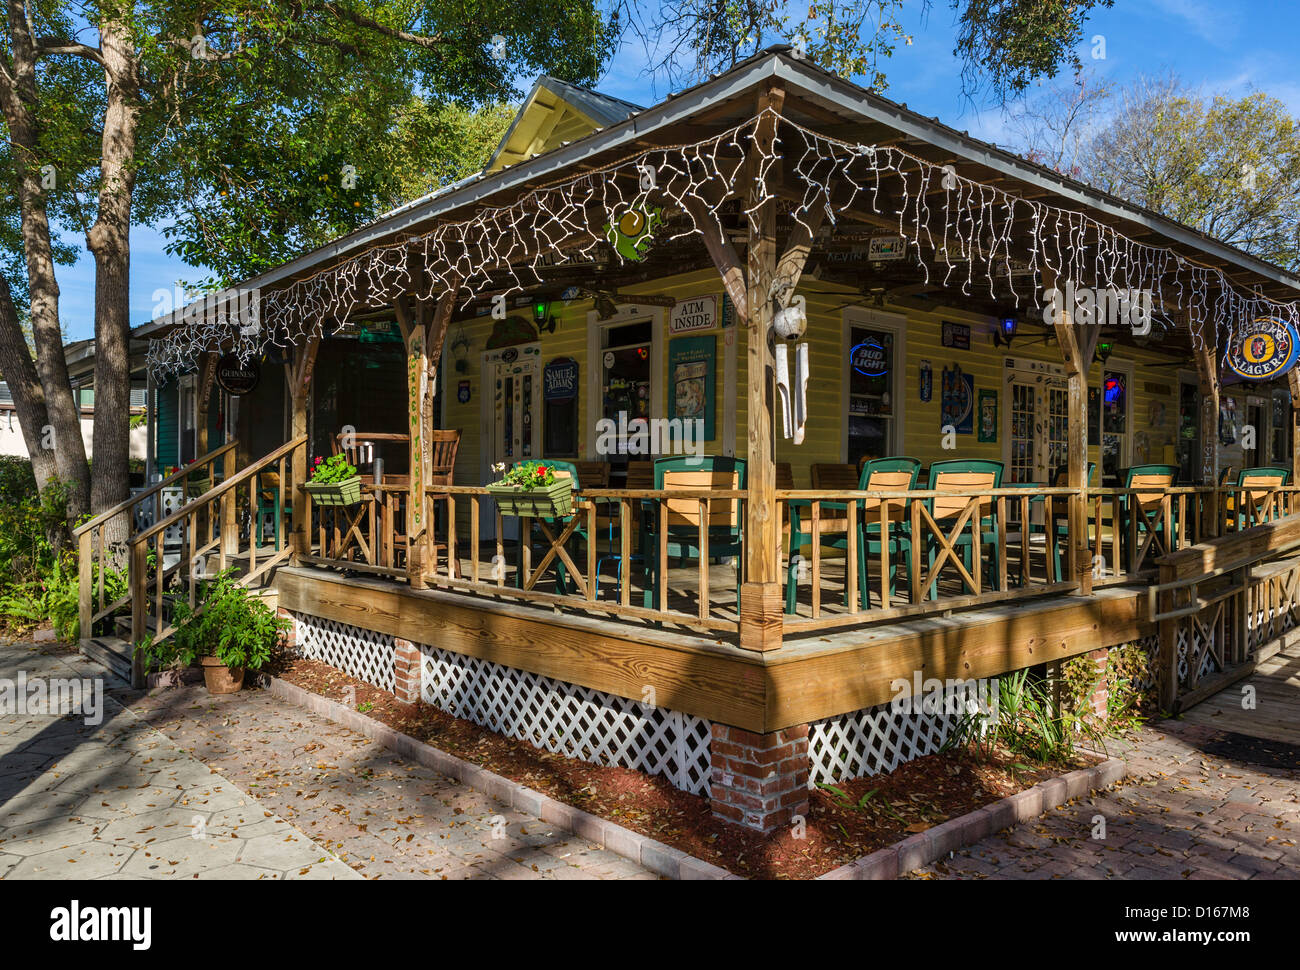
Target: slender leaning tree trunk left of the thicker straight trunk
x=18 y=97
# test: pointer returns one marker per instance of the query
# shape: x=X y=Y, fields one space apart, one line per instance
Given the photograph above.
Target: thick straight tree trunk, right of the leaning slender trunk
x=110 y=242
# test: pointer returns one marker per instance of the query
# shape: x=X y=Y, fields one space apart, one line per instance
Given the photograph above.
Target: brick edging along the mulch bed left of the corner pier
x=639 y=848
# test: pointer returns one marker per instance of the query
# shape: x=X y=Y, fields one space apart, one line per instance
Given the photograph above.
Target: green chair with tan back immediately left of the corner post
x=726 y=538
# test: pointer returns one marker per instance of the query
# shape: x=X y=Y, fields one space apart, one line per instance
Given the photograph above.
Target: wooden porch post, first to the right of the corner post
x=1077 y=356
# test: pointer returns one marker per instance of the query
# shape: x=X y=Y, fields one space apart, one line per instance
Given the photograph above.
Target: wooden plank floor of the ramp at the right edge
x=1277 y=701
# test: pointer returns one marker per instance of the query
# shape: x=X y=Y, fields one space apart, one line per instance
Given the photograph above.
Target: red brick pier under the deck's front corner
x=760 y=781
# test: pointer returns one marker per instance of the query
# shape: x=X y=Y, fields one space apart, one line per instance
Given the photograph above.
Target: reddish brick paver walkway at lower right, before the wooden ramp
x=1207 y=804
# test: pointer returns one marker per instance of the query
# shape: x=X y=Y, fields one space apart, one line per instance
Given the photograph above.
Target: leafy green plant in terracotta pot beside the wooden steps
x=231 y=631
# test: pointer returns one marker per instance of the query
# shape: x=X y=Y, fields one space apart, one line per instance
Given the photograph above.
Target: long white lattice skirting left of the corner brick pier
x=567 y=720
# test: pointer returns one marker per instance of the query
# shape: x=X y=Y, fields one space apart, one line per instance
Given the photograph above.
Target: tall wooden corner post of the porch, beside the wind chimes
x=761 y=594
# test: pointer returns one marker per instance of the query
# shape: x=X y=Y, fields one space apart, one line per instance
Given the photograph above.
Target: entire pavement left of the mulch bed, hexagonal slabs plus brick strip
x=283 y=794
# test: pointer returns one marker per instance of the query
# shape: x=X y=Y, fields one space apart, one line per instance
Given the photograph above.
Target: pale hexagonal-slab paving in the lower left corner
x=118 y=800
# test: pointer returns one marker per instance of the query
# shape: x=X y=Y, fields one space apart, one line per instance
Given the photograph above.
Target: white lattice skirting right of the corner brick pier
x=881 y=739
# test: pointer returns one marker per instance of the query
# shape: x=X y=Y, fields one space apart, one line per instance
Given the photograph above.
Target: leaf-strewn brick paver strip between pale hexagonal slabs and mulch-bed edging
x=384 y=816
